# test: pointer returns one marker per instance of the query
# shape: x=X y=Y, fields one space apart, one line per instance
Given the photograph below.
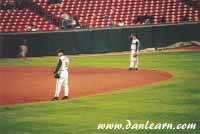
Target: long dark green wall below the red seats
x=97 y=40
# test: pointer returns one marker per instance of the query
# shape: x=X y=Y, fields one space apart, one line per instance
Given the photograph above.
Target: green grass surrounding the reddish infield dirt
x=175 y=101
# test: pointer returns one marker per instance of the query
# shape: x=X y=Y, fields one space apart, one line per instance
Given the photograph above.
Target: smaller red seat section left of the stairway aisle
x=19 y=20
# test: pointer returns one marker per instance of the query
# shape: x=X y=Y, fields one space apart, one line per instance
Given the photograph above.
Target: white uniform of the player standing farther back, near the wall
x=134 y=61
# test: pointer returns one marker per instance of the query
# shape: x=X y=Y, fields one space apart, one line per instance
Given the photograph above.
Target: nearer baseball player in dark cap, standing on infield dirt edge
x=61 y=75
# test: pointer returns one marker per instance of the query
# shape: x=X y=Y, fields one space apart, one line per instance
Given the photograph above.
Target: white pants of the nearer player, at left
x=62 y=81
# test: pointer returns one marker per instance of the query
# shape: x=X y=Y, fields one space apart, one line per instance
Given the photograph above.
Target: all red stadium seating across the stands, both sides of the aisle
x=95 y=13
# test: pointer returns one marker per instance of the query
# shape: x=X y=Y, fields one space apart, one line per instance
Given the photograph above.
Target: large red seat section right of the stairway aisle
x=91 y=12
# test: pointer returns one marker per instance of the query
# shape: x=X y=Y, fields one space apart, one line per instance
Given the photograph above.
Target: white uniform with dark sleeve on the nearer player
x=63 y=80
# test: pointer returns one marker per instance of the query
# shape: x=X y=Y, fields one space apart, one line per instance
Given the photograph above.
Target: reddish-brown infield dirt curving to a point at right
x=34 y=84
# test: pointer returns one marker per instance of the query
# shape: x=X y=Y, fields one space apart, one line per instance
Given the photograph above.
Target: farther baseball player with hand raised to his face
x=134 y=58
